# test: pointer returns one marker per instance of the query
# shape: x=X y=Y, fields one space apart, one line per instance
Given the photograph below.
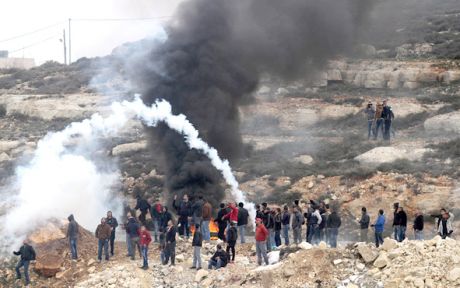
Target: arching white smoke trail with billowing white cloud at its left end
x=62 y=178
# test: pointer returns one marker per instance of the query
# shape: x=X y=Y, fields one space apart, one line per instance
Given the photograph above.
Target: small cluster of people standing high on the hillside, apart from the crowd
x=379 y=119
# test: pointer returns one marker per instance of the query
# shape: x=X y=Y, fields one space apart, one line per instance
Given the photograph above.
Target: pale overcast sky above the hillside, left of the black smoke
x=89 y=38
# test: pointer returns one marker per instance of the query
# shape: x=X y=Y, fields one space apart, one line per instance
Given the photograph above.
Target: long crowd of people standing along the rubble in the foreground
x=272 y=225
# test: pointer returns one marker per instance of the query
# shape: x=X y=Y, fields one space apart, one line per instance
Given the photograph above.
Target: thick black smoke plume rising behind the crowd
x=211 y=63
